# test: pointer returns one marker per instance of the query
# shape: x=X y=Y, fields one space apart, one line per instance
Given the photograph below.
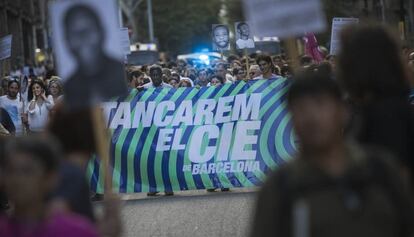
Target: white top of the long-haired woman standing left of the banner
x=39 y=116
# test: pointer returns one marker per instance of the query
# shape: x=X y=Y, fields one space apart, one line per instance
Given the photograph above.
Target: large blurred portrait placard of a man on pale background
x=82 y=37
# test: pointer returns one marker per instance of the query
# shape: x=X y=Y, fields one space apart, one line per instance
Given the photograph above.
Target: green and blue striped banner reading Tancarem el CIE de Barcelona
x=188 y=138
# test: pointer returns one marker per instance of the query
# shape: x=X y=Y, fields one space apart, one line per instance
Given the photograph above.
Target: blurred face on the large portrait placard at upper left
x=84 y=37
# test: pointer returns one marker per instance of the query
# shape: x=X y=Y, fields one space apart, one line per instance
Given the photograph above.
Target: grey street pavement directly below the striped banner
x=189 y=213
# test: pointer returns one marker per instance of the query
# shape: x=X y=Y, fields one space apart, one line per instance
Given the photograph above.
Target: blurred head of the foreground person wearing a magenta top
x=31 y=165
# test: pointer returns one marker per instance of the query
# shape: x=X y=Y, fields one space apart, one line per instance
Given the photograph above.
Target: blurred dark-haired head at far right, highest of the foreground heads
x=370 y=65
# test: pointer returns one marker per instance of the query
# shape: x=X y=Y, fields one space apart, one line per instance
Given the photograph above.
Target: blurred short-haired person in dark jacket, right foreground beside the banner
x=333 y=187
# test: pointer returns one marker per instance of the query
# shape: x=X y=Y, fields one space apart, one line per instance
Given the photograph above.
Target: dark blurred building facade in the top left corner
x=26 y=21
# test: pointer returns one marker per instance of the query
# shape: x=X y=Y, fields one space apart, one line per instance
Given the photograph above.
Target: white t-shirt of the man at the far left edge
x=15 y=109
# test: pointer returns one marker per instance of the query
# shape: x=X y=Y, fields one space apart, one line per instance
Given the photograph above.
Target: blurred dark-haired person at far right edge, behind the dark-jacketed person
x=371 y=70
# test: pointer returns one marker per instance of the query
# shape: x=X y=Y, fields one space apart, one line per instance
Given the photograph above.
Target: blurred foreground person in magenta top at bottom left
x=31 y=165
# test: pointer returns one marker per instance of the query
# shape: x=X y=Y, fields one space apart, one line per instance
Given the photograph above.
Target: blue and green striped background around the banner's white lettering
x=138 y=167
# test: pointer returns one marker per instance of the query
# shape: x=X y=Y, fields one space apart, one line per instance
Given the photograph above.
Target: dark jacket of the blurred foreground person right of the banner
x=369 y=200
